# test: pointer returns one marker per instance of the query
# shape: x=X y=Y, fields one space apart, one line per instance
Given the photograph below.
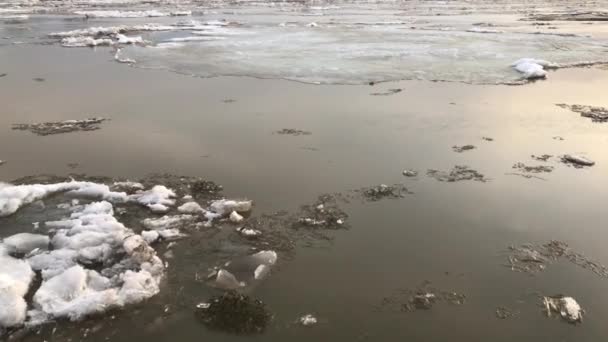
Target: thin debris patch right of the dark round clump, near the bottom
x=424 y=297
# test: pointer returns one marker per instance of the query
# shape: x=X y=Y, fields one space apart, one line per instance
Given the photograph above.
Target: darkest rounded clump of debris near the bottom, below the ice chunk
x=234 y=313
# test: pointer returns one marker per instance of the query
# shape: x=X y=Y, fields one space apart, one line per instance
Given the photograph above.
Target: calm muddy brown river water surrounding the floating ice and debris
x=451 y=234
